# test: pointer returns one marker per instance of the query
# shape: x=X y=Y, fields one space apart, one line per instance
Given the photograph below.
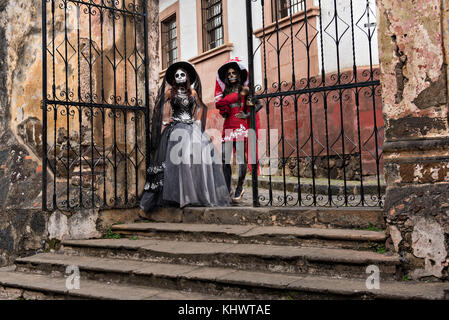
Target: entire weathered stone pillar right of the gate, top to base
x=416 y=151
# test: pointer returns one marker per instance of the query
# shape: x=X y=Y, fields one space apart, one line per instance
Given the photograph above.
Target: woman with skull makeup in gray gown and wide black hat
x=185 y=168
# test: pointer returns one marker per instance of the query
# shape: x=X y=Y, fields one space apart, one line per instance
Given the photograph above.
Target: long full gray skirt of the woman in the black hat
x=185 y=170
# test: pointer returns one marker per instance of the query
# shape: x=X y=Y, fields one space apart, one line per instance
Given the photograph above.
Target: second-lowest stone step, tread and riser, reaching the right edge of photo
x=224 y=282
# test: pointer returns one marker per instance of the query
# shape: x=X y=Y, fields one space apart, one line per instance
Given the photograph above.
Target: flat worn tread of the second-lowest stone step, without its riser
x=313 y=284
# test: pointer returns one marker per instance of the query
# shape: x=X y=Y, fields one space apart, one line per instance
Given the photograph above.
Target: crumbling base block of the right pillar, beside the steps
x=418 y=223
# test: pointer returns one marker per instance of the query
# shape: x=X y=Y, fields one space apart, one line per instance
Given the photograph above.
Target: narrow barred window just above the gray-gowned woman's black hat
x=169 y=42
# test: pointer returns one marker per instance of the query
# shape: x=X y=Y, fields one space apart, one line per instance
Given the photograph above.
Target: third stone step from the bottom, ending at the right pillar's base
x=254 y=257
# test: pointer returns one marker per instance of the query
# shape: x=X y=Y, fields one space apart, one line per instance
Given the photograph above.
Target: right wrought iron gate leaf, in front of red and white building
x=314 y=65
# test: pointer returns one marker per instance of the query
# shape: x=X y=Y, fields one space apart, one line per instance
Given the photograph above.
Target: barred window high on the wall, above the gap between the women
x=212 y=19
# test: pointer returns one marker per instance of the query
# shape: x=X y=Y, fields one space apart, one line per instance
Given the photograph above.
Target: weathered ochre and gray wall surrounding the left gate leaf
x=24 y=227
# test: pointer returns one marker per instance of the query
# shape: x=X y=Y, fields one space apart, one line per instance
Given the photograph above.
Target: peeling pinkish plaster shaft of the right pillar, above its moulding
x=413 y=68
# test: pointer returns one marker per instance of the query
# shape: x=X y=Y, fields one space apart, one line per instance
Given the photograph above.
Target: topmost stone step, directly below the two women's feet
x=344 y=218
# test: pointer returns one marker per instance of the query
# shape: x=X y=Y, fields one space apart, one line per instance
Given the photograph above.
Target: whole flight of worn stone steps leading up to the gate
x=225 y=253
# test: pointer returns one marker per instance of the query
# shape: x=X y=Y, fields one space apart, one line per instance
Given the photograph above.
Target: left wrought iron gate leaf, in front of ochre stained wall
x=95 y=103
